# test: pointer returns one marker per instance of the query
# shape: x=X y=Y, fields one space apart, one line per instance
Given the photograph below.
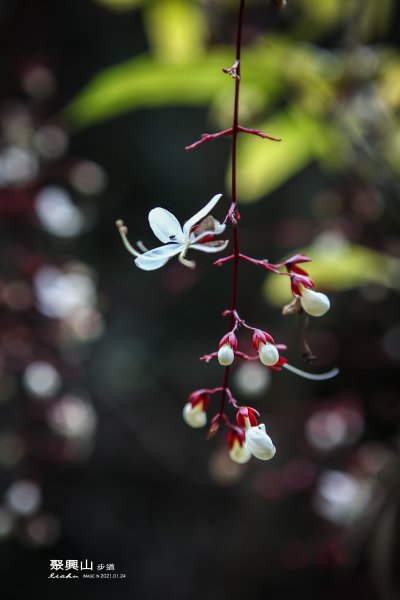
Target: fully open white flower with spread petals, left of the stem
x=176 y=239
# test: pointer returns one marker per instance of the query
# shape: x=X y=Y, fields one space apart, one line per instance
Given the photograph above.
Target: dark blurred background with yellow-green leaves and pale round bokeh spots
x=97 y=358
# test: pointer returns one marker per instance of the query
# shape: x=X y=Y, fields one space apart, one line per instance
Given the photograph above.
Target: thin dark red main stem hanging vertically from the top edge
x=233 y=207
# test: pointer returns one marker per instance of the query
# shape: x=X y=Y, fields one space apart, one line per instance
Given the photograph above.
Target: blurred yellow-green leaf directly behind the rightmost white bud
x=338 y=267
